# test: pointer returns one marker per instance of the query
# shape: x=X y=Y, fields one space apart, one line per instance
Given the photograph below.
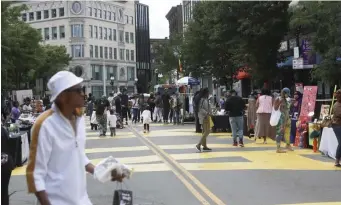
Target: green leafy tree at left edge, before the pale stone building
x=23 y=58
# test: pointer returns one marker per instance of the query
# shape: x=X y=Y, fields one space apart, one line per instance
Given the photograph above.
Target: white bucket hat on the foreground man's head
x=62 y=81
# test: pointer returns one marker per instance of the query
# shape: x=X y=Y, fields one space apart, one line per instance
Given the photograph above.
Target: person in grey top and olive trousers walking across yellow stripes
x=204 y=114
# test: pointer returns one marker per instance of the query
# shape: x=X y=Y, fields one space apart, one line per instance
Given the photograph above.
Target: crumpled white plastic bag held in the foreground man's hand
x=104 y=168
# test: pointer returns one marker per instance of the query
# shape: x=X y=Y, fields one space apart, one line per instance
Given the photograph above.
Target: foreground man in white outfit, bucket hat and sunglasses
x=57 y=165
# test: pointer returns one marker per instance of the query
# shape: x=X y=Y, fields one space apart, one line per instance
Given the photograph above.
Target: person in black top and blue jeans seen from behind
x=235 y=108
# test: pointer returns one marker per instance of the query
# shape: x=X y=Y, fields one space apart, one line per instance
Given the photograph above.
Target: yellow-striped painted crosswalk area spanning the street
x=178 y=142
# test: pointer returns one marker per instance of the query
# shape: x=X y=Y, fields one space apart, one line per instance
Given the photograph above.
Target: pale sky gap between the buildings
x=158 y=9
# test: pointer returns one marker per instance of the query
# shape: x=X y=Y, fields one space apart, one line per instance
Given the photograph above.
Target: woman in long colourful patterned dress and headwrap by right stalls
x=283 y=126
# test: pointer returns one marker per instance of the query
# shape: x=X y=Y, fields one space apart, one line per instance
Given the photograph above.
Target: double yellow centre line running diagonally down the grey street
x=166 y=158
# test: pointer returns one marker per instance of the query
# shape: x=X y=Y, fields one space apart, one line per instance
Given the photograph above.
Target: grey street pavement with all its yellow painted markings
x=169 y=171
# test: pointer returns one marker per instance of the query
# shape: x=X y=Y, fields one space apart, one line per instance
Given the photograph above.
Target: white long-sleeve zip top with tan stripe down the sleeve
x=57 y=159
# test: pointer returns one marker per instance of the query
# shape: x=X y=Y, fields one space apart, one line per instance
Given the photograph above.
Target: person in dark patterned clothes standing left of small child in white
x=102 y=106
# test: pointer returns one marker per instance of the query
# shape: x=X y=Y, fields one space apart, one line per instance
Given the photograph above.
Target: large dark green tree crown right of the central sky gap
x=226 y=35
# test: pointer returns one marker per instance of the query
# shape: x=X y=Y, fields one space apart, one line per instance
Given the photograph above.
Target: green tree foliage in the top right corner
x=324 y=19
